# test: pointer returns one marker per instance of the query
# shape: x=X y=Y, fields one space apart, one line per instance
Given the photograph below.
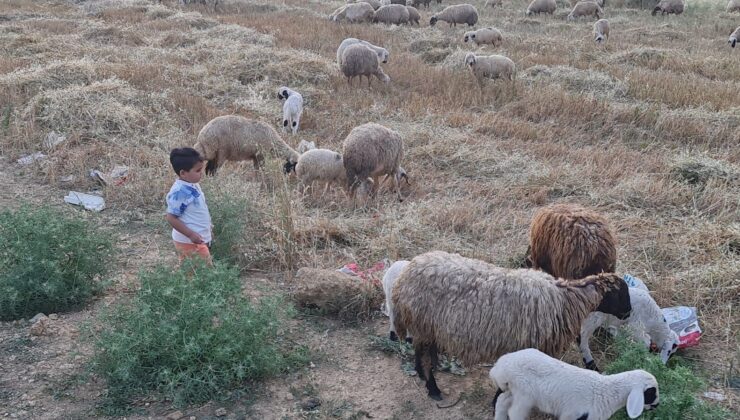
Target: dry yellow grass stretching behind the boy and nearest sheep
x=603 y=126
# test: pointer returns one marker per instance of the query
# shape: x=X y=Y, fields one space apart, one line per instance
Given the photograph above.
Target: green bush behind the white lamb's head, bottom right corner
x=678 y=385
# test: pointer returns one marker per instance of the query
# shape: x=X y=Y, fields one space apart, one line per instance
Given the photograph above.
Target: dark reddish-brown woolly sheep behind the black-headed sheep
x=570 y=242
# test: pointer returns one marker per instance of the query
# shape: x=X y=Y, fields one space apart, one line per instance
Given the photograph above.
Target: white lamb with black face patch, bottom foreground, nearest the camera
x=529 y=379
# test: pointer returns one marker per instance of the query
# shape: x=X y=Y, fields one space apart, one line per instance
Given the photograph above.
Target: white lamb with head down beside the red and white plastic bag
x=645 y=324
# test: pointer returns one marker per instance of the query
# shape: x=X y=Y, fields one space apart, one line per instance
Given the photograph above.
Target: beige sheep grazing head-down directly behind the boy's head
x=233 y=137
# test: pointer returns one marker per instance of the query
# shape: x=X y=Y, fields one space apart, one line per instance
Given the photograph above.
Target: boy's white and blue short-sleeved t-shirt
x=187 y=202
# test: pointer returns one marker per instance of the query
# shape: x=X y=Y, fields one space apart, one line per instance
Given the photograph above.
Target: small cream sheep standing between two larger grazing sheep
x=321 y=165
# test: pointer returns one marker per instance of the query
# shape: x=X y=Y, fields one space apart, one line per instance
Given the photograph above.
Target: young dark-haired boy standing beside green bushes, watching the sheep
x=187 y=211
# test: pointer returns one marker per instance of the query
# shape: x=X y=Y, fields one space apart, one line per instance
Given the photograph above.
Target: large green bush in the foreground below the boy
x=190 y=335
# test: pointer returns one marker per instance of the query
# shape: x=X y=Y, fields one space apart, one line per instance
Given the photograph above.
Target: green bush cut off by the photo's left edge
x=49 y=262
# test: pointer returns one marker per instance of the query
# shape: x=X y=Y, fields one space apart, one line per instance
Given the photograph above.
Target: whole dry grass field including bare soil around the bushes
x=645 y=129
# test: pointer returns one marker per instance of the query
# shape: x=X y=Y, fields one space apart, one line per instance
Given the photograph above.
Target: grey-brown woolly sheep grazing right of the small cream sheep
x=372 y=150
